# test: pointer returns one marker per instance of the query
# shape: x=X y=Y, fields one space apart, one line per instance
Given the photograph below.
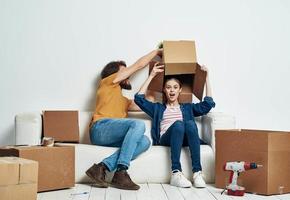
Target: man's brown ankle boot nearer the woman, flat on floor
x=122 y=180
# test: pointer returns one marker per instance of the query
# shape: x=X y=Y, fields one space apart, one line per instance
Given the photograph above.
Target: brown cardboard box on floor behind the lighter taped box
x=56 y=164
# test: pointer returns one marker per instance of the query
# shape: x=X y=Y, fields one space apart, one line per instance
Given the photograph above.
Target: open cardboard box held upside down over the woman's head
x=179 y=58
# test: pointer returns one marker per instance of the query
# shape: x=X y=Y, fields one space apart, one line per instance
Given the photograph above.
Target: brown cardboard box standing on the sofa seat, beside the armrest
x=63 y=126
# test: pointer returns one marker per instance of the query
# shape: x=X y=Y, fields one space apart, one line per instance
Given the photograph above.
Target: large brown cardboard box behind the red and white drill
x=268 y=148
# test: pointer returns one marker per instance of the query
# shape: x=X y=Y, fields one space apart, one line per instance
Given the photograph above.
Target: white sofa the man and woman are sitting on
x=152 y=166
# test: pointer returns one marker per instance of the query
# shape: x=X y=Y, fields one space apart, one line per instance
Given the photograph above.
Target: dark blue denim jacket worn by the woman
x=156 y=110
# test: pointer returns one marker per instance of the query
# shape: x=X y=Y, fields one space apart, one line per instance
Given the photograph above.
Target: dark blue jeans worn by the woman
x=182 y=134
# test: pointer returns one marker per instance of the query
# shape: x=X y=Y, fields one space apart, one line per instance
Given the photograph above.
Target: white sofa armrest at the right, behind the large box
x=214 y=121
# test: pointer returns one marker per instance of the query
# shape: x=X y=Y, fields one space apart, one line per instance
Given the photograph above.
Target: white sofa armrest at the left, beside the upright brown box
x=28 y=128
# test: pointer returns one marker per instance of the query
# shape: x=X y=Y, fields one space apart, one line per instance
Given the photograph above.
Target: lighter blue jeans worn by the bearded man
x=128 y=134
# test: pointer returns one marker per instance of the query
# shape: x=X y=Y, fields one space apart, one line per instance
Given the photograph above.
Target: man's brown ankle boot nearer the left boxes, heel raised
x=98 y=174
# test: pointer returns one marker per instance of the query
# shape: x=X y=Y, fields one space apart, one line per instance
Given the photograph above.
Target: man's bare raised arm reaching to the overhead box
x=139 y=64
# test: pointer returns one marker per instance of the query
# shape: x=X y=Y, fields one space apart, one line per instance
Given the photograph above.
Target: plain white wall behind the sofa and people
x=51 y=52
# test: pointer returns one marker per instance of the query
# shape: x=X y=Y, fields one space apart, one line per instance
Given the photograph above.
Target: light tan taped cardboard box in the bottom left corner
x=18 y=178
